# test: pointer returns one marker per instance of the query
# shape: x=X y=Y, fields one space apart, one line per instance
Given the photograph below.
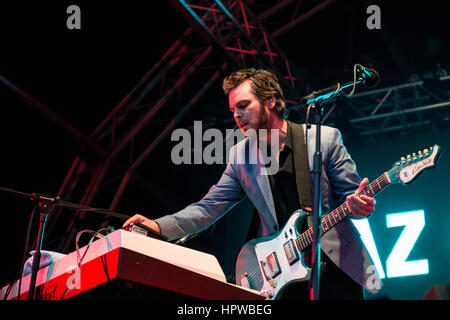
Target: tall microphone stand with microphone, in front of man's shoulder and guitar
x=316 y=100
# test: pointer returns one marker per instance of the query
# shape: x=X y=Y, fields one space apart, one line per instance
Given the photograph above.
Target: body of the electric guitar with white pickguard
x=271 y=264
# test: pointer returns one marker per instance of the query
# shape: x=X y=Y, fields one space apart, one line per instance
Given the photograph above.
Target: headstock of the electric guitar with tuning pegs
x=407 y=169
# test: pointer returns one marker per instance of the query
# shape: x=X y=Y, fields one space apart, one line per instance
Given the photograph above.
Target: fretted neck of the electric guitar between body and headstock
x=338 y=214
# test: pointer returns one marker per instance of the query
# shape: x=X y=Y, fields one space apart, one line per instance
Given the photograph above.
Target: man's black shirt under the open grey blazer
x=283 y=184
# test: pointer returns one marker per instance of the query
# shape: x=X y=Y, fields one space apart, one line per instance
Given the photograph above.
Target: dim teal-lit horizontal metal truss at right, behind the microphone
x=393 y=109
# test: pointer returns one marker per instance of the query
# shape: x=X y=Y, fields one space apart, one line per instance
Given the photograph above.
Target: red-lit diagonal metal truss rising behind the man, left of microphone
x=110 y=157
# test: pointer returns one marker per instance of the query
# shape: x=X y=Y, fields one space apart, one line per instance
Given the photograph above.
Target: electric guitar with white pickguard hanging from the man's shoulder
x=270 y=264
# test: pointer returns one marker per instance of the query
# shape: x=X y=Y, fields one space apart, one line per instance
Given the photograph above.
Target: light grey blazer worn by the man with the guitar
x=342 y=244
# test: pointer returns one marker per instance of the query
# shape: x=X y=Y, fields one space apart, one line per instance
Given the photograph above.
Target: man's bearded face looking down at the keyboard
x=248 y=111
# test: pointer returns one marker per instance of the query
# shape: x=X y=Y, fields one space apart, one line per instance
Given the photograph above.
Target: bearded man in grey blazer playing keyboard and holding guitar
x=256 y=101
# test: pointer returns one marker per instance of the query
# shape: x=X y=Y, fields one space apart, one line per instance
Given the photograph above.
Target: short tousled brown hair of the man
x=264 y=85
